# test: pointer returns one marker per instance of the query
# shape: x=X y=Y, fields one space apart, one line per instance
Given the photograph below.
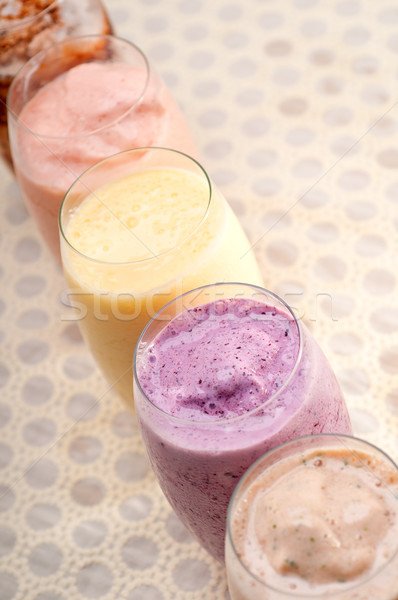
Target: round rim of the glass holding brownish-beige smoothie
x=286 y=593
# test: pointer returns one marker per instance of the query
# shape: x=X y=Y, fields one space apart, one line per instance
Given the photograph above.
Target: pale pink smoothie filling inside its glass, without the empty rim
x=89 y=112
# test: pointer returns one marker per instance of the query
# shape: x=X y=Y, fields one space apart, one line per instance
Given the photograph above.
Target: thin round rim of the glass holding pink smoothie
x=38 y=57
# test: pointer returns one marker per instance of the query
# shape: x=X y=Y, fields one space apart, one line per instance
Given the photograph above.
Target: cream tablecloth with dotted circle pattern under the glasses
x=293 y=105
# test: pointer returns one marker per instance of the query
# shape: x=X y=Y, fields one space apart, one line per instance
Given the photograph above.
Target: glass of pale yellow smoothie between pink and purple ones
x=137 y=230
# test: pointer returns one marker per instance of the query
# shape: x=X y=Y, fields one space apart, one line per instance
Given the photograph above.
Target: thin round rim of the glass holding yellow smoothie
x=89 y=192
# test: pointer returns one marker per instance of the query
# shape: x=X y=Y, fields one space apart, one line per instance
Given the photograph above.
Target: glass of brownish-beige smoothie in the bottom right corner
x=316 y=517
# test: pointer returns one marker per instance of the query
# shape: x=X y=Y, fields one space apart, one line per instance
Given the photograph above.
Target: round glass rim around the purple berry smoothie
x=238 y=418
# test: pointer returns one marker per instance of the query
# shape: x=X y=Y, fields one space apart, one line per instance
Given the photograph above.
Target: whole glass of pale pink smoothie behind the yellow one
x=76 y=103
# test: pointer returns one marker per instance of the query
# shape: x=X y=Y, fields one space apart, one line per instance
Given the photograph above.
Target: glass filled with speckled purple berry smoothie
x=221 y=375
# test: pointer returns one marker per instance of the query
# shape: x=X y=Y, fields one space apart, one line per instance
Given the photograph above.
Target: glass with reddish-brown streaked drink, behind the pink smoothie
x=28 y=26
